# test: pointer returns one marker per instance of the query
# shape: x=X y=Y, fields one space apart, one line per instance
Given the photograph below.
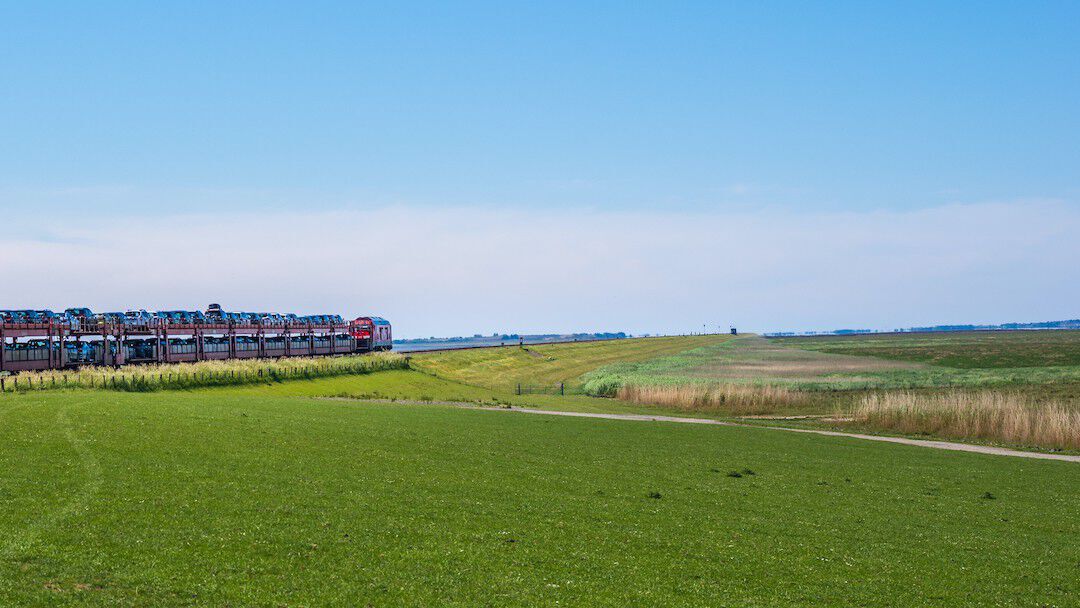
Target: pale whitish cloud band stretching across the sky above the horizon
x=482 y=269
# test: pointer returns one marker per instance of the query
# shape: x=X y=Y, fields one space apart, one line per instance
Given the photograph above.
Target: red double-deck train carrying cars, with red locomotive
x=43 y=340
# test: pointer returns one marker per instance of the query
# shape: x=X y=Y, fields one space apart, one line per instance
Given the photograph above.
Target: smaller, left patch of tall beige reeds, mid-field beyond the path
x=738 y=400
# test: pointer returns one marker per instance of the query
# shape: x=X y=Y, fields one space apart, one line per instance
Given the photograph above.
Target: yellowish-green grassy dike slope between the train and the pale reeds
x=550 y=364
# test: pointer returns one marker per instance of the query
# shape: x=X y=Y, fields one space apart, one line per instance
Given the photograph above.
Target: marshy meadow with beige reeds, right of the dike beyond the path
x=1014 y=388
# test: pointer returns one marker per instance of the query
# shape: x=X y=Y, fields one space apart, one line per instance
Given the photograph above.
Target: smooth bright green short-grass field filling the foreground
x=224 y=497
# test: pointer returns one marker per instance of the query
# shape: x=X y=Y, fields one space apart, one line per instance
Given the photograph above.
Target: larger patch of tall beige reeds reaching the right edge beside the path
x=984 y=415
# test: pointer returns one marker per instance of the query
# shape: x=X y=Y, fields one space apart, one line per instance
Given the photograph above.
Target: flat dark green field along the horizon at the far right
x=965 y=350
